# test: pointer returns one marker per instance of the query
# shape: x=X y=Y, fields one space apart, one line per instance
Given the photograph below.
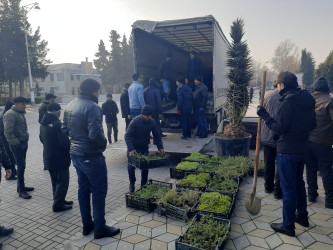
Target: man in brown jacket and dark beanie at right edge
x=320 y=155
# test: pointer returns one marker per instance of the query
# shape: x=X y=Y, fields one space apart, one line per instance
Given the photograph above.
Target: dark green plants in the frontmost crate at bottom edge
x=206 y=233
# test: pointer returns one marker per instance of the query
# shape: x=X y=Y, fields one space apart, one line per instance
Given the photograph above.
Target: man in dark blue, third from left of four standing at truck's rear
x=184 y=107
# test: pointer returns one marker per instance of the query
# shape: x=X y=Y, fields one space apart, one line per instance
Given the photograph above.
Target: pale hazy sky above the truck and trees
x=73 y=28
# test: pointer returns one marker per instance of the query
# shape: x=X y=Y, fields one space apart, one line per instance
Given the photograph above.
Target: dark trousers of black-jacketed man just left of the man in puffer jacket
x=60 y=183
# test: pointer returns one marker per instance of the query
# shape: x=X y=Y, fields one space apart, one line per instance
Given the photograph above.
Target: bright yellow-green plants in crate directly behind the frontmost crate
x=215 y=202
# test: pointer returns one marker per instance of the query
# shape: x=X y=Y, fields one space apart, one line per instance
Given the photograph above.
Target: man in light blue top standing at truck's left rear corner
x=135 y=94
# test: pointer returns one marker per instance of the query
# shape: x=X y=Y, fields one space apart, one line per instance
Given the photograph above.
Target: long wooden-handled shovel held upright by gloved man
x=253 y=203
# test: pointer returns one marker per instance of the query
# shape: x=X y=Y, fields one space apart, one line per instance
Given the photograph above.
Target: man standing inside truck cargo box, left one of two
x=165 y=70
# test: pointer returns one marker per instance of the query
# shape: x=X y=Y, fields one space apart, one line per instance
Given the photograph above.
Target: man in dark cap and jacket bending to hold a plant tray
x=137 y=139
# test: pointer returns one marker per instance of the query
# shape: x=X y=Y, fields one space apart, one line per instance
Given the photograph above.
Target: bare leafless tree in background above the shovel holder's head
x=286 y=57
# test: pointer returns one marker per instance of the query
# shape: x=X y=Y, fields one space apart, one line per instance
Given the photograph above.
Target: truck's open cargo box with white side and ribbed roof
x=152 y=40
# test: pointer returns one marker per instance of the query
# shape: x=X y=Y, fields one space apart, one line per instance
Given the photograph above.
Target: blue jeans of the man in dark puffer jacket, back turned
x=92 y=177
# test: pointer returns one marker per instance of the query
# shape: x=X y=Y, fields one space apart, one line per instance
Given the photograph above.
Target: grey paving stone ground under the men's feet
x=37 y=227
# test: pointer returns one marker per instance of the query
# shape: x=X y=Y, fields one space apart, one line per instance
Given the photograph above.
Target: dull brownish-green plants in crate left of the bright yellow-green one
x=180 y=199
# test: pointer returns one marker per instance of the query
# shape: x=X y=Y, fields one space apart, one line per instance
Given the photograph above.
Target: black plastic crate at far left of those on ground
x=143 y=203
